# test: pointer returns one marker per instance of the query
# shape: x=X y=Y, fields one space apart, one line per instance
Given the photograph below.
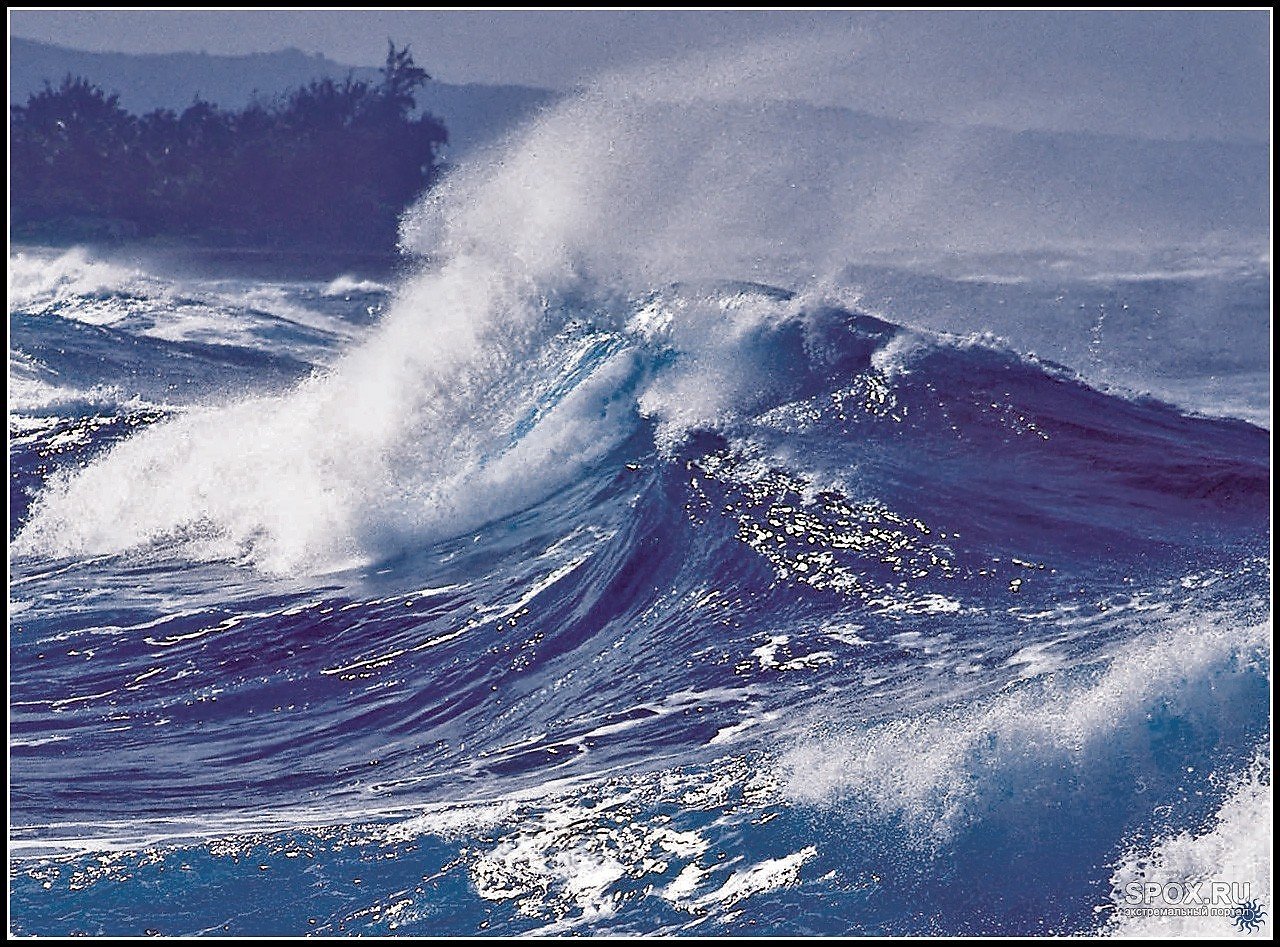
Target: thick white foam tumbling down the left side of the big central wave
x=383 y=451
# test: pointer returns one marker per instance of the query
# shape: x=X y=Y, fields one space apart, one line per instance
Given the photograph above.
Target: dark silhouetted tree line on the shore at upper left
x=332 y=163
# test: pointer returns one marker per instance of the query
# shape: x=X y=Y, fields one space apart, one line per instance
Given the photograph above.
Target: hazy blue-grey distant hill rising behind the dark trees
x=476 y=115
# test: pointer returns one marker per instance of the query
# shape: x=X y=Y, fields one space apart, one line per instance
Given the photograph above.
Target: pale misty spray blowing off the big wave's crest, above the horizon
x=725 y=158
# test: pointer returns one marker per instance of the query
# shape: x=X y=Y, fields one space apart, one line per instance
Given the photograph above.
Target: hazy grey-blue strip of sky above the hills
x=1159 y=74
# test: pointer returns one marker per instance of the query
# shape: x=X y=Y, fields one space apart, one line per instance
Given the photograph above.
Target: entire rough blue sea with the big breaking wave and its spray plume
x=574 y=585
